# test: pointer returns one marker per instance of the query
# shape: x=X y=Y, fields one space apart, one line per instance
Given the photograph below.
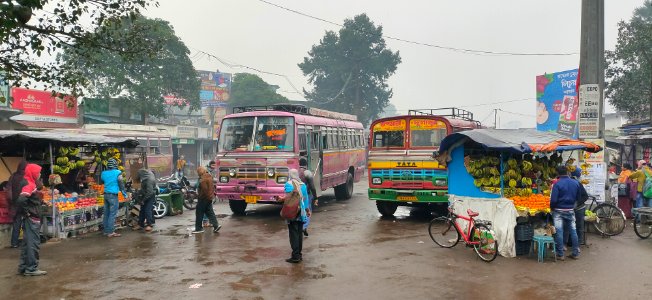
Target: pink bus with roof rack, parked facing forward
x=258 y=145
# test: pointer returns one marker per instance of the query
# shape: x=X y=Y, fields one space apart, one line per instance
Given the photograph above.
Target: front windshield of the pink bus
x=269 y=134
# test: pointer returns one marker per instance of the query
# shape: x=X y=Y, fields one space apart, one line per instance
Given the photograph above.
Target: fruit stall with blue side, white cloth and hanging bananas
x=507 y=174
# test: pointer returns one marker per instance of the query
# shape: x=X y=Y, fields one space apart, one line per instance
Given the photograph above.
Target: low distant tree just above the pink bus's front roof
x=249 y=89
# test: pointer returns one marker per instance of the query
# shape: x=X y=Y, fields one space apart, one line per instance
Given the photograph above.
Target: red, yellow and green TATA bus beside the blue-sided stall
x=402 y=170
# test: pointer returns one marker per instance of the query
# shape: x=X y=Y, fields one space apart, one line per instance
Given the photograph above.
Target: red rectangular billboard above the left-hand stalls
x=44 y=106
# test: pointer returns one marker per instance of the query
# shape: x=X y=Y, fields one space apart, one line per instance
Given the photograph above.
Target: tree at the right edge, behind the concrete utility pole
x=629 y=71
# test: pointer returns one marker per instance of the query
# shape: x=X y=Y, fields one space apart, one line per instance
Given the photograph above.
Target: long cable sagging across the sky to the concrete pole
x=449 y=48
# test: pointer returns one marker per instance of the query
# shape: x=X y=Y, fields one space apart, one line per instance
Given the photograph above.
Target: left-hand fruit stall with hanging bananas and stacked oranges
x=71 y=165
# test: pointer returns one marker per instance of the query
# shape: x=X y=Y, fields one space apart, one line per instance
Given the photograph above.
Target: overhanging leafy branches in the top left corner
x=30 y=29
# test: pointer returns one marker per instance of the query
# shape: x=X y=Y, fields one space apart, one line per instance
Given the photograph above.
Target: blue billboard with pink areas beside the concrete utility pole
x=557 y=102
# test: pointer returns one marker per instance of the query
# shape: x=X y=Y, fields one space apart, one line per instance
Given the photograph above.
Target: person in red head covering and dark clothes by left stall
x=29 y=207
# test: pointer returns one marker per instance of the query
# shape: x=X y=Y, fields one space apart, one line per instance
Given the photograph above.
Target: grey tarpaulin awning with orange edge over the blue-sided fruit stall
x=516 y=141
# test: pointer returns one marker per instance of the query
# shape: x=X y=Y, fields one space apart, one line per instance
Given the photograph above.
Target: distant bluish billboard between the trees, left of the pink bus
x=215 y=88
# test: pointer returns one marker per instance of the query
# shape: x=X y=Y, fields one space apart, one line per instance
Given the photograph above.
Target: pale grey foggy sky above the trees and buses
x=252 y=33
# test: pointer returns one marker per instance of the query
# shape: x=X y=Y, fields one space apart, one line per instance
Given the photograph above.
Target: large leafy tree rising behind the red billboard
x=138 y=83
